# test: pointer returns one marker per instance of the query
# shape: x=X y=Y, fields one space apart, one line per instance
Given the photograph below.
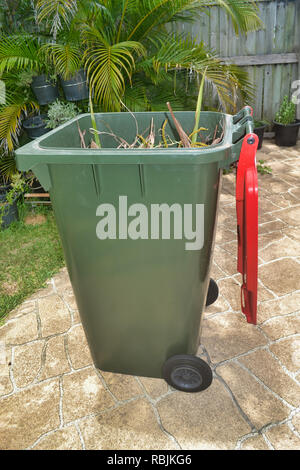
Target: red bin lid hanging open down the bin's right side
x=247 y=225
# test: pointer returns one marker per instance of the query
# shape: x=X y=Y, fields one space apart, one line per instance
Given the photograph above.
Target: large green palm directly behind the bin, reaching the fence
x=132 y=52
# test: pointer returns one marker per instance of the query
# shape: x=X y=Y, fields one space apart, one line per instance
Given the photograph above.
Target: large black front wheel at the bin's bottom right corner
x=187 y=373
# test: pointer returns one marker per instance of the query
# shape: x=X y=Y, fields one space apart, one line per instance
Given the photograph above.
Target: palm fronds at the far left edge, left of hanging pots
x=21 y=56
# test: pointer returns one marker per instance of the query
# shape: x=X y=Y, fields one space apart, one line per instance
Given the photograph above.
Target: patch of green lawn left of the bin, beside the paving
x=29 y=255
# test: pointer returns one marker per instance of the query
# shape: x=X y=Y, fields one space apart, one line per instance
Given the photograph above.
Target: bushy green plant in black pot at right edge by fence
x=286 y=126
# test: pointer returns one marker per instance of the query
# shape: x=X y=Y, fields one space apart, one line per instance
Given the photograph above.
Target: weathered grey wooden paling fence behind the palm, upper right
x=271 y=55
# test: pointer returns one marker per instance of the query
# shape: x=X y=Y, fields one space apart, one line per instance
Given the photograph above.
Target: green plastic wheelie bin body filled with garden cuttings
x=137 y=227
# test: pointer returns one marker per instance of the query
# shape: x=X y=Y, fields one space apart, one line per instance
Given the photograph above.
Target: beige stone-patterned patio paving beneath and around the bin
x=51 y=396
